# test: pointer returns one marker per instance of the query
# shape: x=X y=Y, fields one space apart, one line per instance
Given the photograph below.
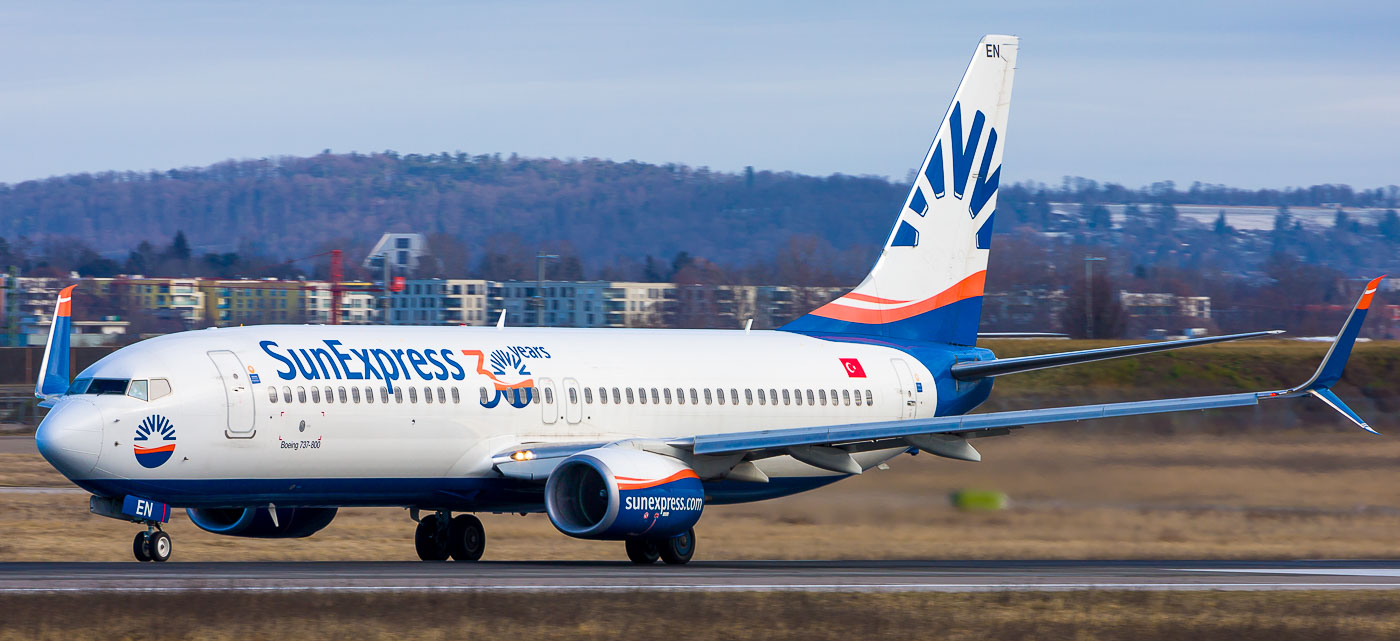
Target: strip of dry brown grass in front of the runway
x=1142 y=617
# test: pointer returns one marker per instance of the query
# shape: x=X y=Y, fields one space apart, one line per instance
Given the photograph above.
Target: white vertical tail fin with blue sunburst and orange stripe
x=927 y=283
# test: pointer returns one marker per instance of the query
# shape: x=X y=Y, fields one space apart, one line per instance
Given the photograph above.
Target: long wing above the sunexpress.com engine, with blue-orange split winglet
x=829 y=447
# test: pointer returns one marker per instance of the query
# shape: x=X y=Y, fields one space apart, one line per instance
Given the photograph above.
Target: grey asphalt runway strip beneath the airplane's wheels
x=701 y=577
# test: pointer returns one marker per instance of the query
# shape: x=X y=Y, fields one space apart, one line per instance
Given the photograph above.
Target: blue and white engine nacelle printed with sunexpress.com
x=614 y=493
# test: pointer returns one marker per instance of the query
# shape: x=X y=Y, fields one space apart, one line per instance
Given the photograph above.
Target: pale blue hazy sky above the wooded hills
x=1255 y=94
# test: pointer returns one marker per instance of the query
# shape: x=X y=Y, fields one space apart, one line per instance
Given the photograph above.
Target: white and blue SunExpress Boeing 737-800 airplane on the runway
x=615 y=435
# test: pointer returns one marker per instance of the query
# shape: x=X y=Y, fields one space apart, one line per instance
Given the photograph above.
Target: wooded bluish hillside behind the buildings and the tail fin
x=486 y=216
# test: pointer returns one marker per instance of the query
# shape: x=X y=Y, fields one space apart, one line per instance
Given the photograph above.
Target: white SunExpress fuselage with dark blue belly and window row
x=299 y=414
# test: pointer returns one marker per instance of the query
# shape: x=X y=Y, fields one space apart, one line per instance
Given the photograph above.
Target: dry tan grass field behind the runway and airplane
x=1076 y=493
